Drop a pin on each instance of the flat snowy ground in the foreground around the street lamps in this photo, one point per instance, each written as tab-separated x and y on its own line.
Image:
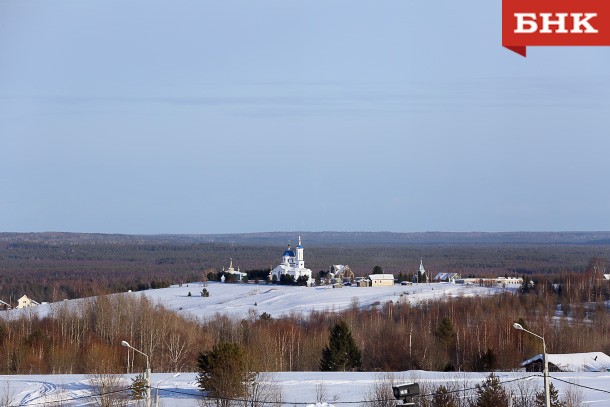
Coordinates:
298	388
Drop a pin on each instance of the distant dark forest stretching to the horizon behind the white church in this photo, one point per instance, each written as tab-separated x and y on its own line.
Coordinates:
55	266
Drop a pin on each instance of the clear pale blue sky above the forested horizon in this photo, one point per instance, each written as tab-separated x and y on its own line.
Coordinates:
146	117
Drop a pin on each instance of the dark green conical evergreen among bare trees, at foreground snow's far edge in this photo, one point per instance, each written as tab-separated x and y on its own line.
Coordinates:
341	354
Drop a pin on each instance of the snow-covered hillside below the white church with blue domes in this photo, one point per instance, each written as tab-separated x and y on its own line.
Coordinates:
238	300
